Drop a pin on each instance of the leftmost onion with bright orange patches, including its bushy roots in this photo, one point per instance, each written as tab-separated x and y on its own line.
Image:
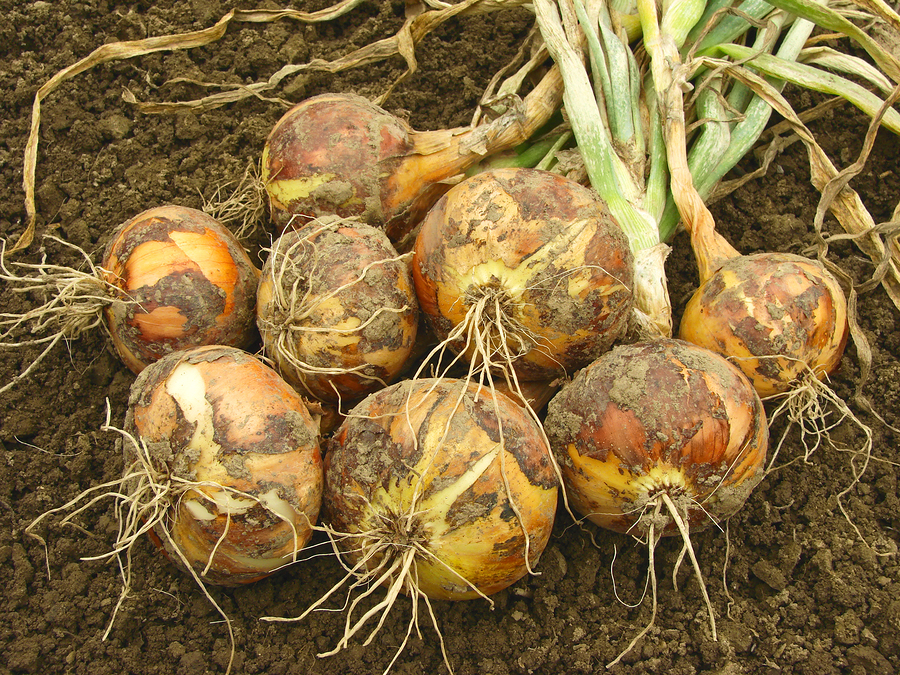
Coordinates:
171	278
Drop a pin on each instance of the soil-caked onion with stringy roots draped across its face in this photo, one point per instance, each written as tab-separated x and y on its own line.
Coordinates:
358	314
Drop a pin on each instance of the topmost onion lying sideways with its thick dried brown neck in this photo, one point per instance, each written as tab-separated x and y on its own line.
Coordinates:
341	154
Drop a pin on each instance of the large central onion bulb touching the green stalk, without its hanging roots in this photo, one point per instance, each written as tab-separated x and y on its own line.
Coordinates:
550	251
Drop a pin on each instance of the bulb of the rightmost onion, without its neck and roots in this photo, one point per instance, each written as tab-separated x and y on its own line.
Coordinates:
774	315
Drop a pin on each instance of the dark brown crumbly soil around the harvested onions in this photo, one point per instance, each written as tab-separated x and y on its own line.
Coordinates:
806	593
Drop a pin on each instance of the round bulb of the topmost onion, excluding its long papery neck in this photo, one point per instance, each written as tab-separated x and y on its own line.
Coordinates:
334	154
